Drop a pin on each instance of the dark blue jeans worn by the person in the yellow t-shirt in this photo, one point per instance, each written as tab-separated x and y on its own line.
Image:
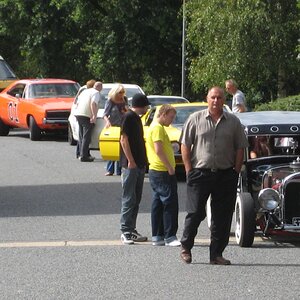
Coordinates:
164	211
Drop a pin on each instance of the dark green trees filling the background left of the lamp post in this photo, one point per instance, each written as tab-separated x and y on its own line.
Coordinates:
113	40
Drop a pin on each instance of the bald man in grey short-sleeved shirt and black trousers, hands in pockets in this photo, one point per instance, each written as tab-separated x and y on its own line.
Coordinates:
212	147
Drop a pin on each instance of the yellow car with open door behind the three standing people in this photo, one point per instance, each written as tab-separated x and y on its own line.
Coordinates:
109	139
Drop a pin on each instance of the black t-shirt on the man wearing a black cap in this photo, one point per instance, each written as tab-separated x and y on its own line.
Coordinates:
133	128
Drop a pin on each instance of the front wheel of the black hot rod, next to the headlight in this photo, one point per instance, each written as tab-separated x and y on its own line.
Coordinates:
244	220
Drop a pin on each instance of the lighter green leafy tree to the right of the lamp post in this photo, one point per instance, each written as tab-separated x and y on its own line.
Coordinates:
253	41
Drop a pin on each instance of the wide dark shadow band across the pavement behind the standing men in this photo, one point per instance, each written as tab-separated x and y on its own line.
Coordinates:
66	199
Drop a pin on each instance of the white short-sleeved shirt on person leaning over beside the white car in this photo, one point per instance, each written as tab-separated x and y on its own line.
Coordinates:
85	100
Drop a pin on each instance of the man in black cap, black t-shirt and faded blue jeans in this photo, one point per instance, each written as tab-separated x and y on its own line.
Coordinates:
133	161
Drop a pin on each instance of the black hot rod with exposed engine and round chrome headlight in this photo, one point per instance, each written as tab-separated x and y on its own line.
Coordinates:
268	198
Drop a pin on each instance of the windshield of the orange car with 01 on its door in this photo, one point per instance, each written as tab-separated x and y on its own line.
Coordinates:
53	90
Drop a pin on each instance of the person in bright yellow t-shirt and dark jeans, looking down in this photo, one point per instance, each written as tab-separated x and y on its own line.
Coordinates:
164	210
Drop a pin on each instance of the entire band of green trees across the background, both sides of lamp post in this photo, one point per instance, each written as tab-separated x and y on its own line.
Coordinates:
253	41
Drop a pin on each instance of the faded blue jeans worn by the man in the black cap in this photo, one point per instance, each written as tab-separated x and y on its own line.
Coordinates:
132	183
